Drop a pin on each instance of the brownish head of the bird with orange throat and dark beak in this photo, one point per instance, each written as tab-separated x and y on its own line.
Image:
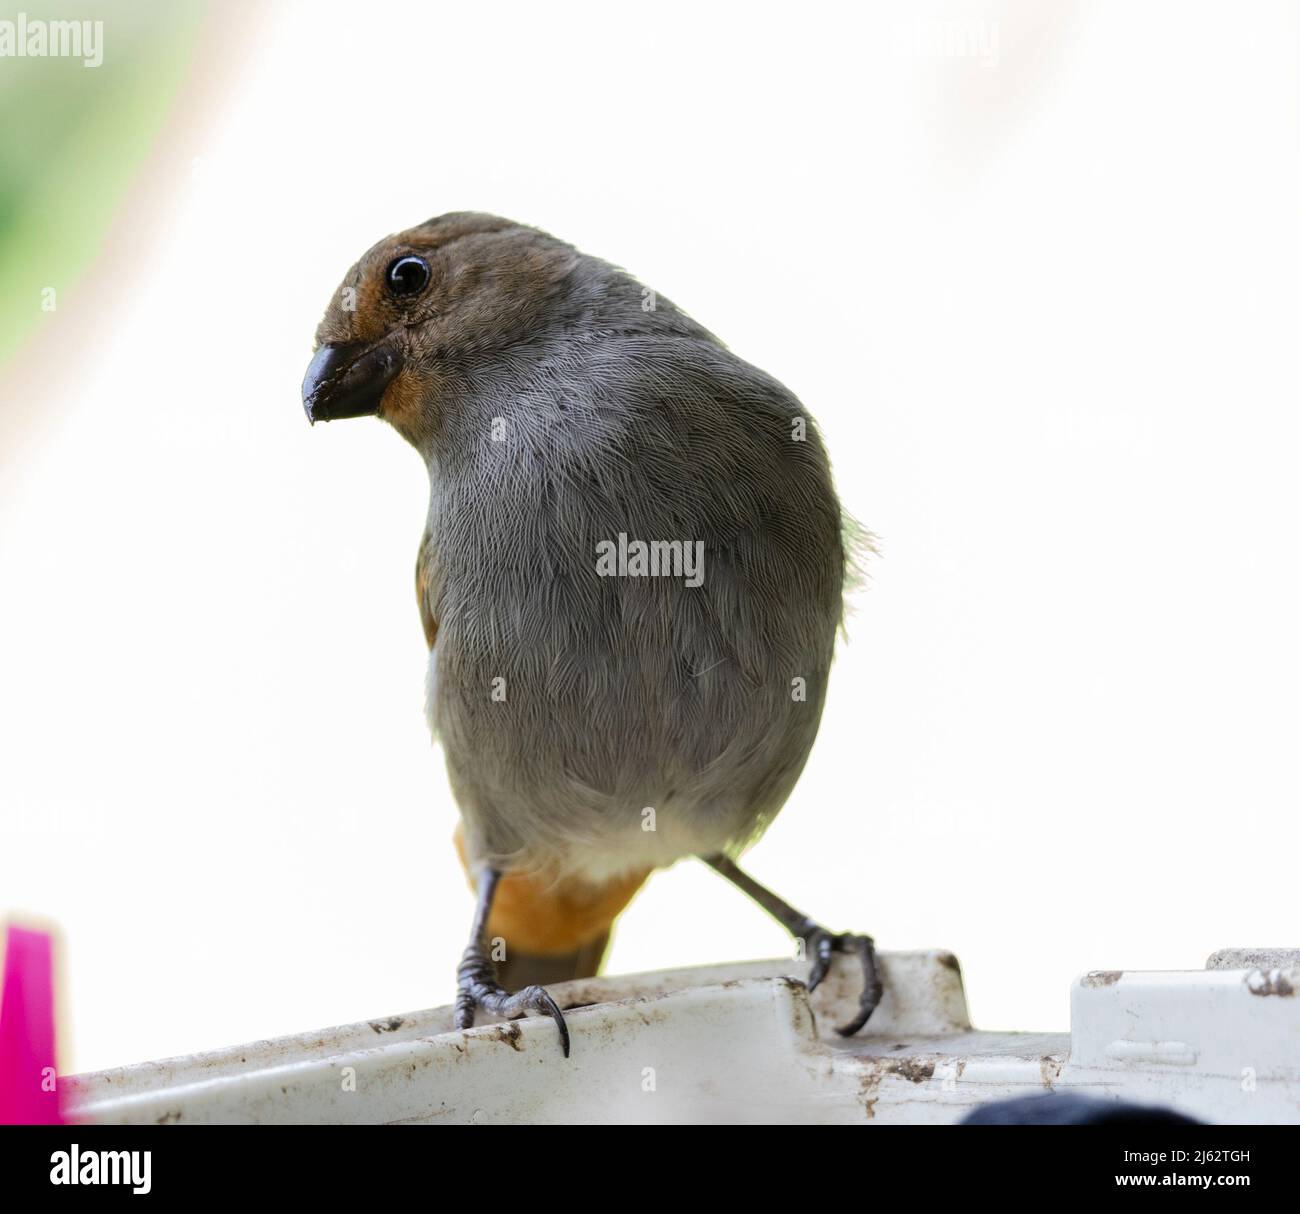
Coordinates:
426	307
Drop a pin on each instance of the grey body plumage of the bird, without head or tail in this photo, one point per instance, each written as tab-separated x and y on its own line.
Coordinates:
625	693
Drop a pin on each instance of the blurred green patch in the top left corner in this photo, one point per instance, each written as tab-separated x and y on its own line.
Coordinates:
72	140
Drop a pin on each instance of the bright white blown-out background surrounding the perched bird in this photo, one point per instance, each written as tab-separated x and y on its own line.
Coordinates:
1042	300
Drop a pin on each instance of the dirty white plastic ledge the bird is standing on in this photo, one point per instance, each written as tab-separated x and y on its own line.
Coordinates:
746	1043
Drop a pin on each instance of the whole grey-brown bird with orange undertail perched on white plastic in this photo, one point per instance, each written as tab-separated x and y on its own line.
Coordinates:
631	583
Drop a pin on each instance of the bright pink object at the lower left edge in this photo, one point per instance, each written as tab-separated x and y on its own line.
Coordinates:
28	1091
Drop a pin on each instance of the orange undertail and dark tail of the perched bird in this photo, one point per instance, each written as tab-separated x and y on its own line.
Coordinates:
553	931
